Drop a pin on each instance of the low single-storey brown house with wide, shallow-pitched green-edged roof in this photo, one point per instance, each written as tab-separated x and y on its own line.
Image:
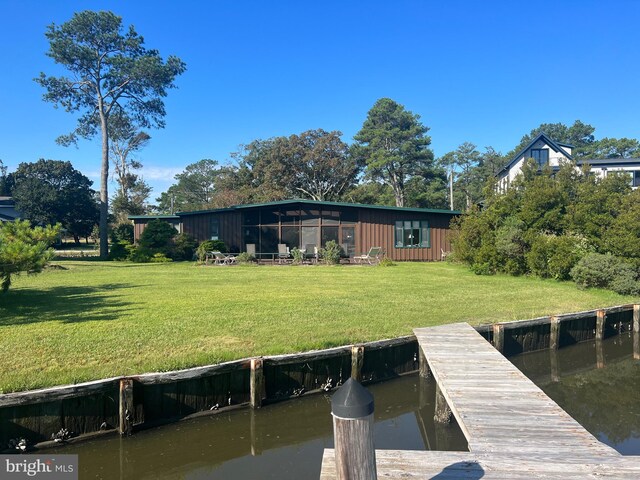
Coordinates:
404	233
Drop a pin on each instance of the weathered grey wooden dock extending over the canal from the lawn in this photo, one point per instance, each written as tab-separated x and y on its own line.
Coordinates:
512	428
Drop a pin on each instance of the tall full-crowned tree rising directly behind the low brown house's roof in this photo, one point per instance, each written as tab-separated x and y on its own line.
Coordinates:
393	146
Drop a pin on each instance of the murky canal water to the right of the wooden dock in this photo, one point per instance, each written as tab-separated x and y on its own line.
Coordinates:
597	383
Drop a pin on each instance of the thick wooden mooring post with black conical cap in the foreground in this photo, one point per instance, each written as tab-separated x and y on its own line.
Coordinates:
352	410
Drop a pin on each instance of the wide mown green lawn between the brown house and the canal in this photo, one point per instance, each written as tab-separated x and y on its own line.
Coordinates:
95	320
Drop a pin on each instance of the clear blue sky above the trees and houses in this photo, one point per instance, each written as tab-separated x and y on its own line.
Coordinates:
484	72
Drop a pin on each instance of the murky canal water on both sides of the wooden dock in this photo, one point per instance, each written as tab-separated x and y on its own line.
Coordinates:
598	383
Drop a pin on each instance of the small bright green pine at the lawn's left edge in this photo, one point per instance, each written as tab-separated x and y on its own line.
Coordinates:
24	249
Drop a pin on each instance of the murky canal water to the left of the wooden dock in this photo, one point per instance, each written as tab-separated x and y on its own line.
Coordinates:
281	441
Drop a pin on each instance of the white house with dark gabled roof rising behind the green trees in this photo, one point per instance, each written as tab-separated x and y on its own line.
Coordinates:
545	151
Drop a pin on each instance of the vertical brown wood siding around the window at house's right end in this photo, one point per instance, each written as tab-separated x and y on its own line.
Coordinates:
376	229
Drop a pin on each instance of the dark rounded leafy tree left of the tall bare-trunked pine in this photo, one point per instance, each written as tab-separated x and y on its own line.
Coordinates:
52	191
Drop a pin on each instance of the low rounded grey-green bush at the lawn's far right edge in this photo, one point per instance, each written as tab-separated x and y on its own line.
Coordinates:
605	271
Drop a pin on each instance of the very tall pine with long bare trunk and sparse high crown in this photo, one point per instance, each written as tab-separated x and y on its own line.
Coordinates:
111	73
